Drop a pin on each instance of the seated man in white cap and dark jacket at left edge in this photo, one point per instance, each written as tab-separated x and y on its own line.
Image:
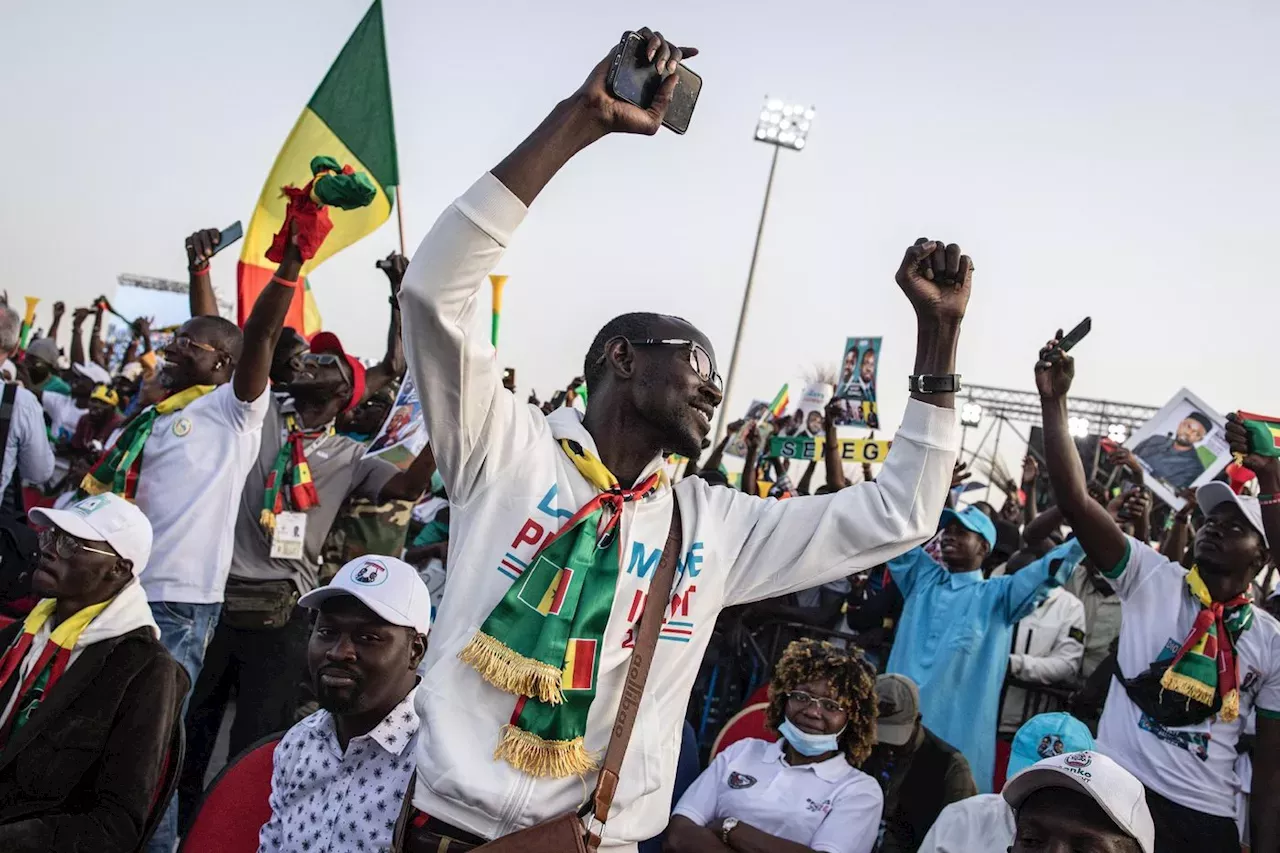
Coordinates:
89	696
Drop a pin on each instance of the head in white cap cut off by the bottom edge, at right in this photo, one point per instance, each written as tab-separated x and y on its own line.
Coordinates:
1081	801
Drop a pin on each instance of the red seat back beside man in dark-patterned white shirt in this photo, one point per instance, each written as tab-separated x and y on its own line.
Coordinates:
236	805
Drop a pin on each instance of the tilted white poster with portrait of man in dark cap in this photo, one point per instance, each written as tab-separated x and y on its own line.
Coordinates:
1183	446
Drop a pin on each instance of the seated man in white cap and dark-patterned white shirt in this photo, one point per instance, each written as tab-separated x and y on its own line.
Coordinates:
341	776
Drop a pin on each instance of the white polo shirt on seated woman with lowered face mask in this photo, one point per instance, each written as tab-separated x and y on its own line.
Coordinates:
829	806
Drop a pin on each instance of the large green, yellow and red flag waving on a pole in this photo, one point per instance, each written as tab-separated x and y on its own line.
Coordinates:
349	120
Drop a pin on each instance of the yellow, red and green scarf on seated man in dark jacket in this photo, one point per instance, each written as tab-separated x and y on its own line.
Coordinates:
49	667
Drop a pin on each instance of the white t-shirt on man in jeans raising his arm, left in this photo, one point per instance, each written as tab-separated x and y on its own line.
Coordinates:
190	486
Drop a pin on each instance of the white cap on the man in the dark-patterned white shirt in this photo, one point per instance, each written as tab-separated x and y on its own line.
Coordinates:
386	586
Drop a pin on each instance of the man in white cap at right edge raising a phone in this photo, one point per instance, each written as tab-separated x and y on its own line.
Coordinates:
1196	659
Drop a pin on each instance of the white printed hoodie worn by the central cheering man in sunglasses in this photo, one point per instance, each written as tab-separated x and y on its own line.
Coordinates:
511	486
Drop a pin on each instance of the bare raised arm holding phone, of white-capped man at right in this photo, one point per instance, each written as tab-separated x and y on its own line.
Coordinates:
1099	535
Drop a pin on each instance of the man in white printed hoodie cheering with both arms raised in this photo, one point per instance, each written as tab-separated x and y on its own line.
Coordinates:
516	477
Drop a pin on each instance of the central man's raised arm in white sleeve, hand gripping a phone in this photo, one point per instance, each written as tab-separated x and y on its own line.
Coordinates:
477	426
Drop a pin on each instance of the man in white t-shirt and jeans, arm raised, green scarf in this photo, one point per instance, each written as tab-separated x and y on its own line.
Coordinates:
184	462
